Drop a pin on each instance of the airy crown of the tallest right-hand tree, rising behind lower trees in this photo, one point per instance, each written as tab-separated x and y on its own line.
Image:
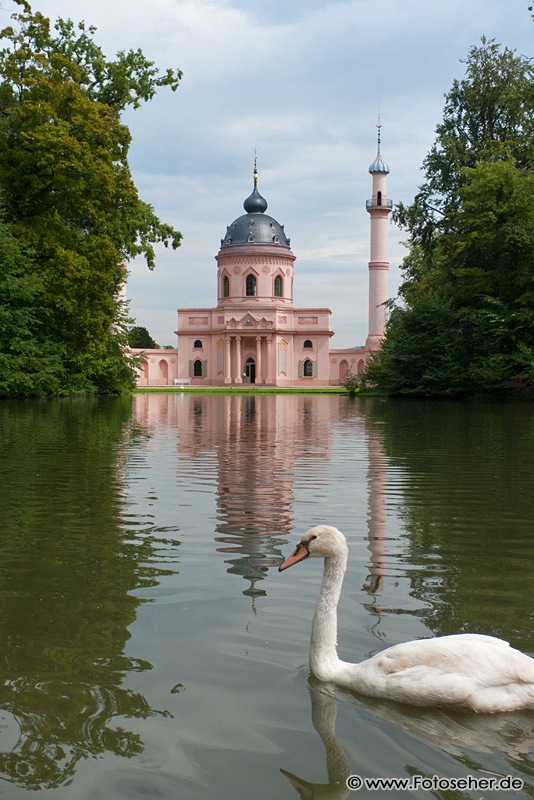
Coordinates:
487	116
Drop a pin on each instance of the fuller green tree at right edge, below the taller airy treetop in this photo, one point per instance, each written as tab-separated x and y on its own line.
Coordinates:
488	262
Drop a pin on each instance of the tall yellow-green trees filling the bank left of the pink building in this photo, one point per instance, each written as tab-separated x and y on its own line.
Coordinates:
72	216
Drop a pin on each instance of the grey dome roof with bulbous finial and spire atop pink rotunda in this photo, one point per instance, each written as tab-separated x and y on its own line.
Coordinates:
255	227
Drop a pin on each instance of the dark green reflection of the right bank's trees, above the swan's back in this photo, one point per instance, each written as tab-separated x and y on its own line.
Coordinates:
461	467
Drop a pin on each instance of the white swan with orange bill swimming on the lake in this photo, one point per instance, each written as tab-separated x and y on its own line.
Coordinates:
467	670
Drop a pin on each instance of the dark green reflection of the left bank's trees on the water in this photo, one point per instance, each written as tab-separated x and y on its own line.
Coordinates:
65	588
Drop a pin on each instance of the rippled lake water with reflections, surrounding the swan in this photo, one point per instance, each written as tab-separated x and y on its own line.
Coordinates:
151	649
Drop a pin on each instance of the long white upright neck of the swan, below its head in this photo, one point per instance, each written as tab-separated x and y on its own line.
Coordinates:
324	661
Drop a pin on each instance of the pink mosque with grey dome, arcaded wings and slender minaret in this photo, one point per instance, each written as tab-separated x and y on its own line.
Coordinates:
255	335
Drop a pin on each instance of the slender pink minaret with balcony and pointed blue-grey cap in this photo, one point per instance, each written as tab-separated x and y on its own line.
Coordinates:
379	207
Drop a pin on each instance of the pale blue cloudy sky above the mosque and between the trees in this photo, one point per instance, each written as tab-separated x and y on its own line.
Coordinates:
302	83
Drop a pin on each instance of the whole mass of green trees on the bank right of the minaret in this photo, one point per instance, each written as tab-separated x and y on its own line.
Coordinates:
464	321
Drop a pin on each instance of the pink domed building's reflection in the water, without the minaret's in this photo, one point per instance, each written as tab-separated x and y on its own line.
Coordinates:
251	448
